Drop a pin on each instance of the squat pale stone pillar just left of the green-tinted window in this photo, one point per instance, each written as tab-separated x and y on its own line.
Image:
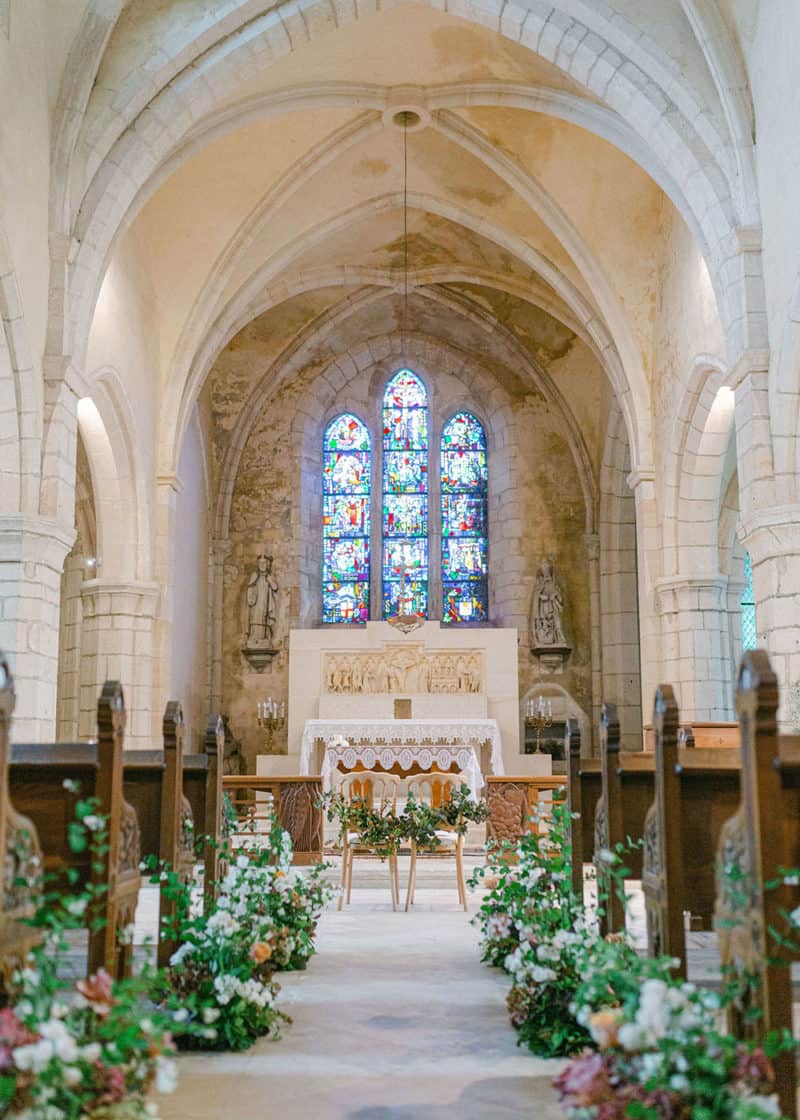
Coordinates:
694	612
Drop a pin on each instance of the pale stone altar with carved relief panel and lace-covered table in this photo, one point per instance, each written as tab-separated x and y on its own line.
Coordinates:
435	689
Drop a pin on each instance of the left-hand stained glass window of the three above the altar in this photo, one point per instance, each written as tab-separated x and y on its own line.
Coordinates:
347	521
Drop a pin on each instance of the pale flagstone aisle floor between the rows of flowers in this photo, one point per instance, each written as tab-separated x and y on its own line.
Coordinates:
395	1020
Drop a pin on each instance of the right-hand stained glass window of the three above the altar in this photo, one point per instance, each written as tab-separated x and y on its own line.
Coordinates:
464	538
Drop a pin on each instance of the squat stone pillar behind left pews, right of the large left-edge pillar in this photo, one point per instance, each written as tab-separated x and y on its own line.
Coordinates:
120	643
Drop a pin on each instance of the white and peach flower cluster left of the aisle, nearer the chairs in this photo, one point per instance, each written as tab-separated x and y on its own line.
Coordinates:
219	986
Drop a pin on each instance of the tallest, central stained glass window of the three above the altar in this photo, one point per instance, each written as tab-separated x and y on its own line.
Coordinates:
405	497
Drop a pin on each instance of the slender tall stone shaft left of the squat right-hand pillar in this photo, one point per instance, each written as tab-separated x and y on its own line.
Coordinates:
649	570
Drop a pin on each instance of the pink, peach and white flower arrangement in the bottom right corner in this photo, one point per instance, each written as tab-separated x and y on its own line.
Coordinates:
662	1057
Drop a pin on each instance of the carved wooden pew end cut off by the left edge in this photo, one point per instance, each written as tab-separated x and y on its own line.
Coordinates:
20	846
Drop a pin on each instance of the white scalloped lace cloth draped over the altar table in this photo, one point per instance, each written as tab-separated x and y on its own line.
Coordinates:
404	743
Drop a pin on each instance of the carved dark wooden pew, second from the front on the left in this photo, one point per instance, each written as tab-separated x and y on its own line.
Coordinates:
36	779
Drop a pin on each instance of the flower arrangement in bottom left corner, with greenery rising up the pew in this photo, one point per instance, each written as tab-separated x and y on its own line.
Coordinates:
89	1051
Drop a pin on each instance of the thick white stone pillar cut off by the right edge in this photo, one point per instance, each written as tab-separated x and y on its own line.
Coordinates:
773	539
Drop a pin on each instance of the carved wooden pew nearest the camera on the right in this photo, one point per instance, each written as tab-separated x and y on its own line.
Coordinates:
761	837
